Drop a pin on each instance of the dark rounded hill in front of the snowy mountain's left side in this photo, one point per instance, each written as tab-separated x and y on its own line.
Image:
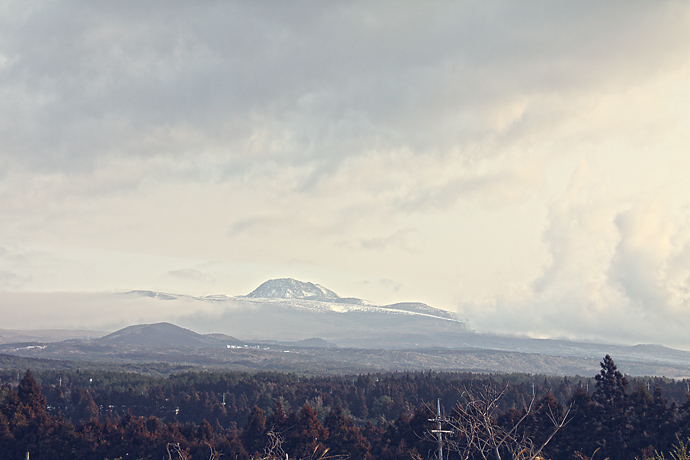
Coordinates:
161	335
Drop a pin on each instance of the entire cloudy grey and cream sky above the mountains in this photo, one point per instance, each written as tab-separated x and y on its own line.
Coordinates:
523	164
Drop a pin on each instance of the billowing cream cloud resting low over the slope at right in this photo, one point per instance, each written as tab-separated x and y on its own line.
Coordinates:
616	273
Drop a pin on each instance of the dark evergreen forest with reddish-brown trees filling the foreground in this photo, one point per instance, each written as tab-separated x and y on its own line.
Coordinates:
204	415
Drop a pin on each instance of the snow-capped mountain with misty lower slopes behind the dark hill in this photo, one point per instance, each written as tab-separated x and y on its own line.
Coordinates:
288	309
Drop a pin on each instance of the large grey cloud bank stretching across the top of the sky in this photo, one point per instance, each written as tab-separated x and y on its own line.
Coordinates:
251	84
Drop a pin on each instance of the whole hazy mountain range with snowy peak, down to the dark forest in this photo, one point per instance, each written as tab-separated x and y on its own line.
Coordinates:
320	330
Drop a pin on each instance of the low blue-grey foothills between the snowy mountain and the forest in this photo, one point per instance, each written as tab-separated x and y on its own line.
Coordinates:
152	345
